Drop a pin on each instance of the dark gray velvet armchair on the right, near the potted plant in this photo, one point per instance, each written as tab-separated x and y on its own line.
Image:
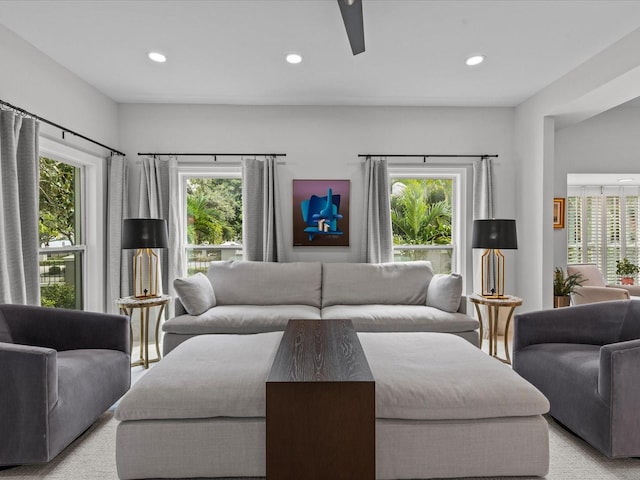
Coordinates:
586	361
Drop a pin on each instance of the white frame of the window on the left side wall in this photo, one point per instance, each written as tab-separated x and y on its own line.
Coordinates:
92	217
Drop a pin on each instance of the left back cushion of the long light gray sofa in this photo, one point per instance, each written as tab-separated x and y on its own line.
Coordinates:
266	283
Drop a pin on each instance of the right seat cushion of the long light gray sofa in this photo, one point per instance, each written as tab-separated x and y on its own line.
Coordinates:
401	318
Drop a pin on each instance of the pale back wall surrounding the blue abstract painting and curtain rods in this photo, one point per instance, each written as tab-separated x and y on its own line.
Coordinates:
323	143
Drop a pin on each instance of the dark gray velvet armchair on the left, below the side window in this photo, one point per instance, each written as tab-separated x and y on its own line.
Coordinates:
59	371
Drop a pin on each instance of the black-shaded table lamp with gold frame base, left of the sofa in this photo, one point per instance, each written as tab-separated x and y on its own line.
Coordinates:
145	234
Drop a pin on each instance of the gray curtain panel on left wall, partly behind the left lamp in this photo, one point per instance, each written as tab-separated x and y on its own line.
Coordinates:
118	263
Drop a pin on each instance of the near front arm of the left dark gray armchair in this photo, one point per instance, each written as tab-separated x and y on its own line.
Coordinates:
28	392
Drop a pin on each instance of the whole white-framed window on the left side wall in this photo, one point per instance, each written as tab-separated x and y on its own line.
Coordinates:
76	183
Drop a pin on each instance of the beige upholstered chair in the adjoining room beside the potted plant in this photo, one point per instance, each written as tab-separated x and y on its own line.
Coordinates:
595	289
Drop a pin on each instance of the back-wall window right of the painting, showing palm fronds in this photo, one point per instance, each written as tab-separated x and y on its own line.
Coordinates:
426	211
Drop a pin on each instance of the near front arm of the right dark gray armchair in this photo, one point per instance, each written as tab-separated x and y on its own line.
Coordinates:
619	388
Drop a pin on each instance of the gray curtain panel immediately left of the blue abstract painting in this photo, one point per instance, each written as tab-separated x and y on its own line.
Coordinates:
261	211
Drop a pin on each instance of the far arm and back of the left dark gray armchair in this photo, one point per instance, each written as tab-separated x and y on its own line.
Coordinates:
63	329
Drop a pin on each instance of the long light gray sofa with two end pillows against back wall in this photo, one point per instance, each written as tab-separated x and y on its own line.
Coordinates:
255	297
